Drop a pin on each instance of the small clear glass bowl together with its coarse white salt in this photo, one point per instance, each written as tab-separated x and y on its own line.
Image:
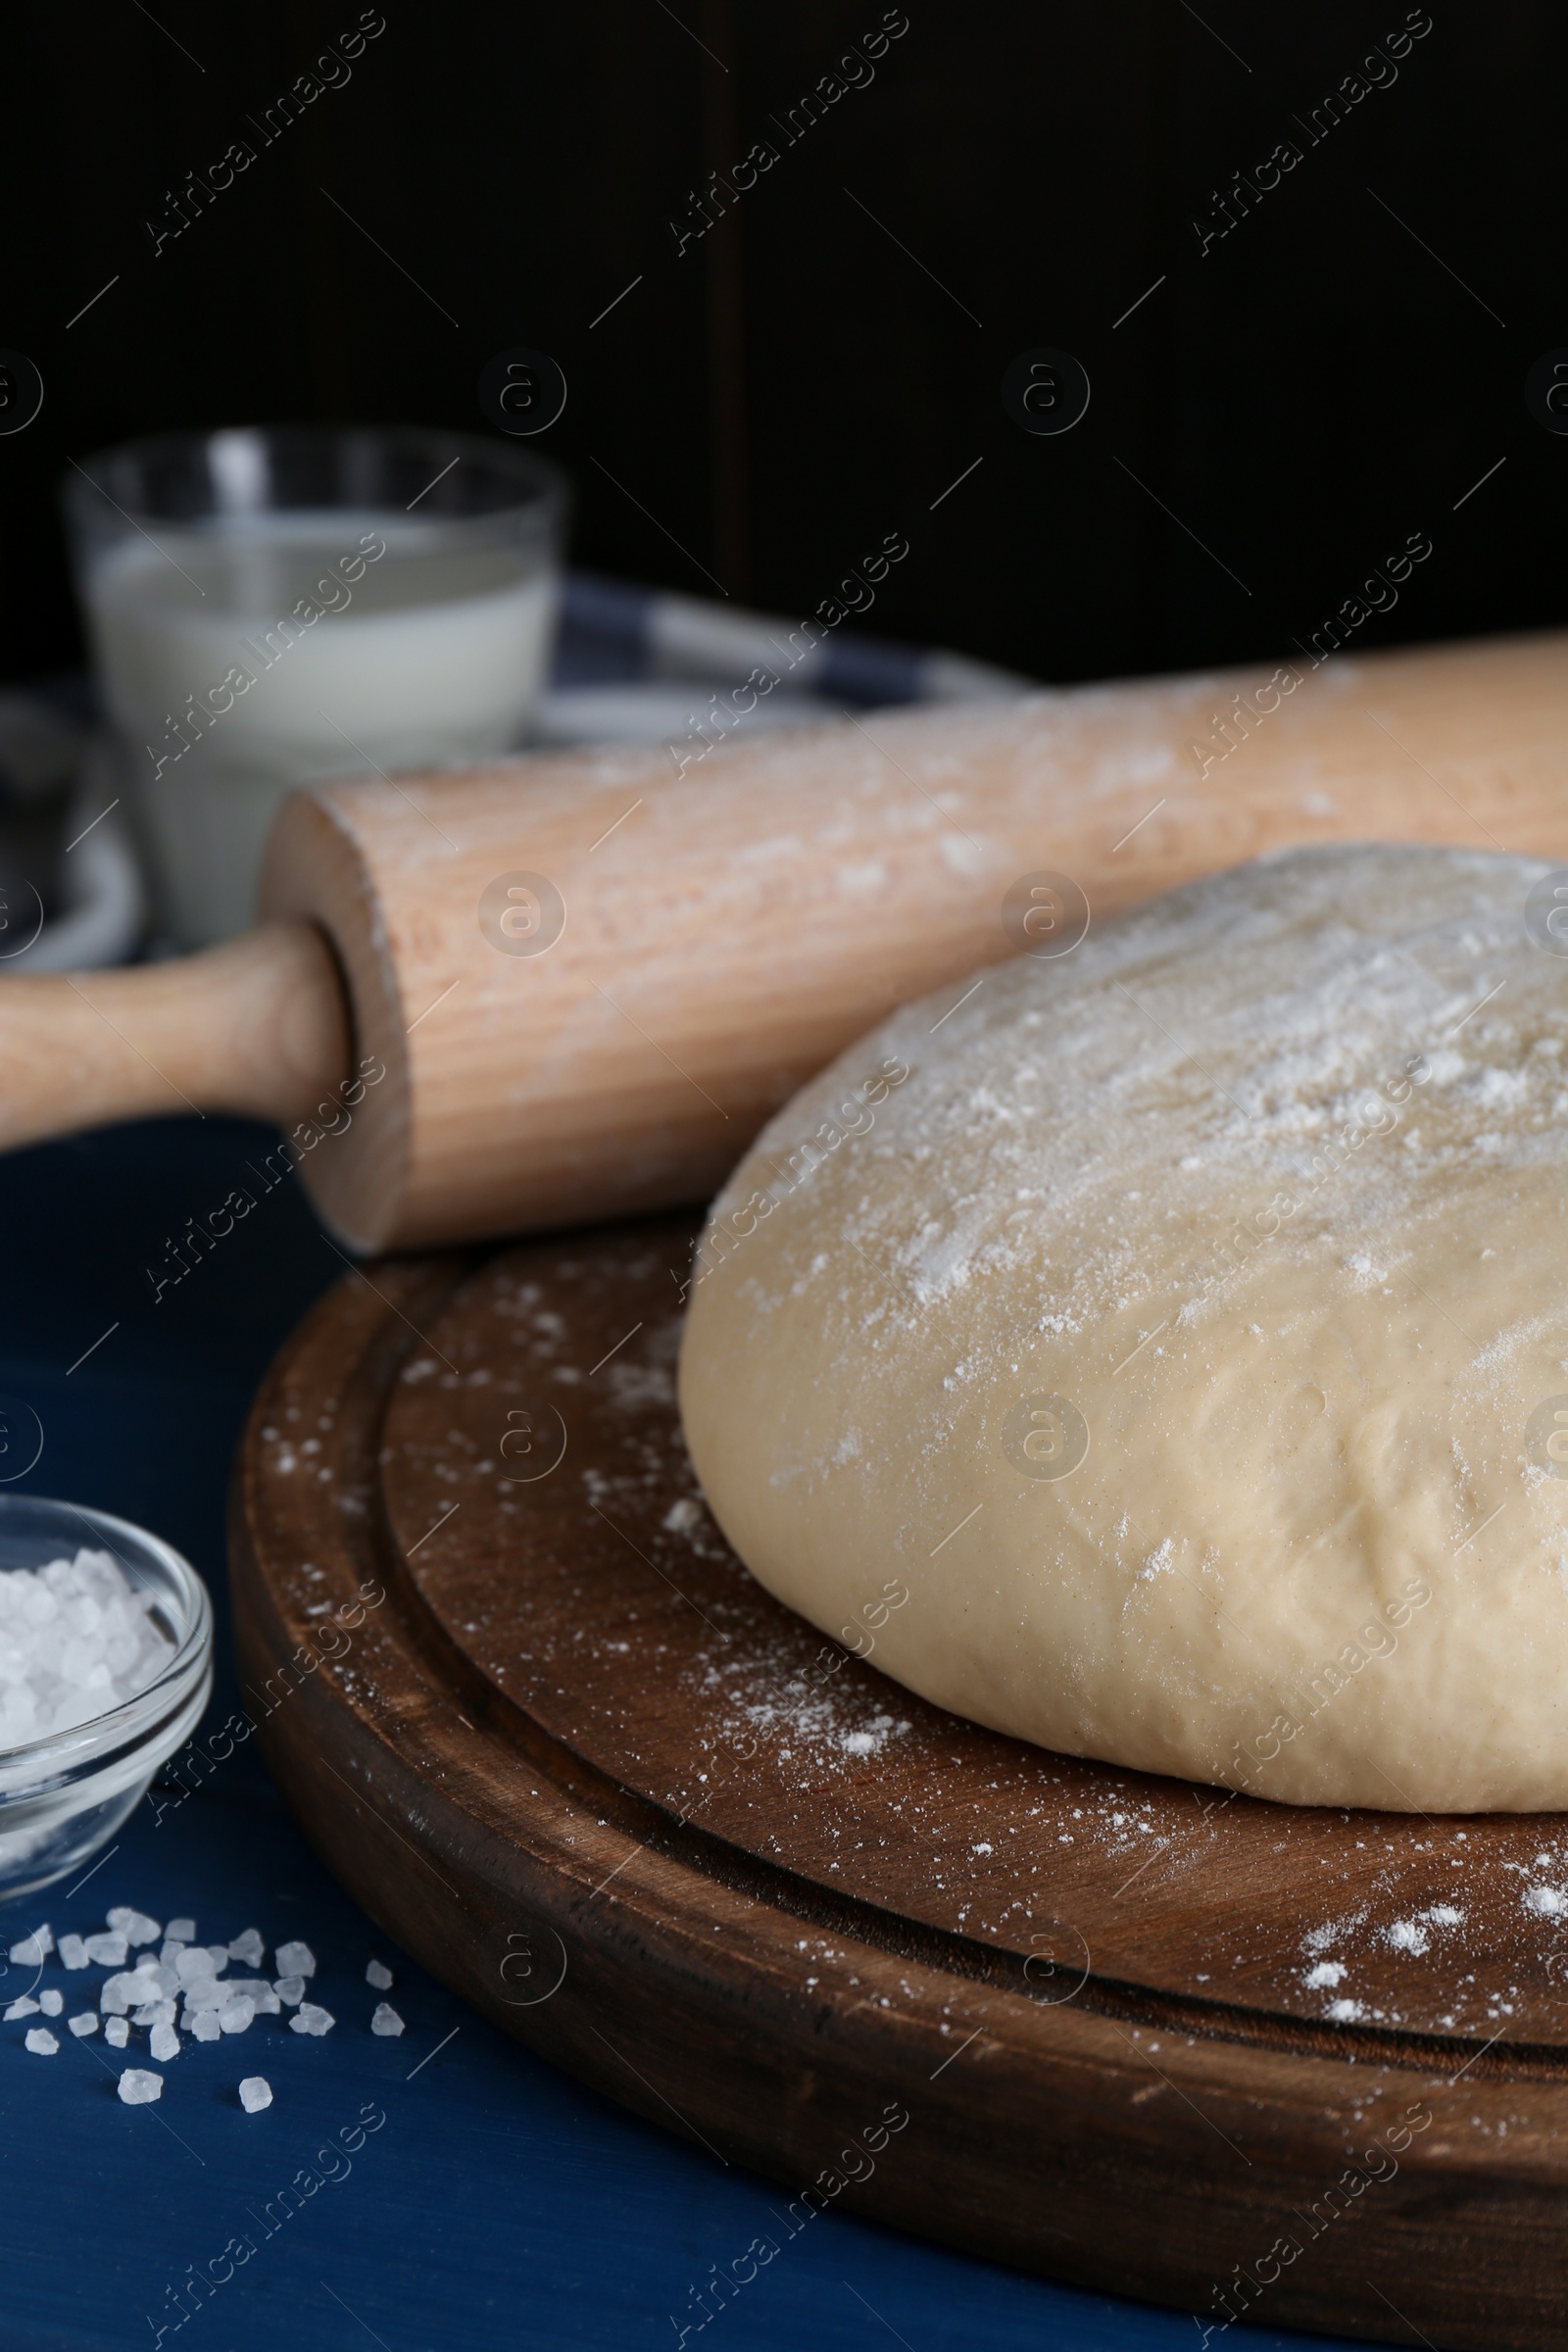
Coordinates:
105	1673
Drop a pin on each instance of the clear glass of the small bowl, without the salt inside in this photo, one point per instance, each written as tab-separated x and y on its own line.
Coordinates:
67	1793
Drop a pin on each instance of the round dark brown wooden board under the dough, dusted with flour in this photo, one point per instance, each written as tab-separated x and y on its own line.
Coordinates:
1304	2069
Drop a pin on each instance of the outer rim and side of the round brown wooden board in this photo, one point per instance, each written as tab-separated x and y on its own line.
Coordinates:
1038	2132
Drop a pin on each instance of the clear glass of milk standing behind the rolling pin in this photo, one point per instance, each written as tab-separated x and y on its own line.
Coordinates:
283	603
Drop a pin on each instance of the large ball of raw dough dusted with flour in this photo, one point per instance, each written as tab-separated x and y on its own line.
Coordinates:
1181	1325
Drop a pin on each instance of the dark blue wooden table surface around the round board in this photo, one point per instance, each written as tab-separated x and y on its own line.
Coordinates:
448	2189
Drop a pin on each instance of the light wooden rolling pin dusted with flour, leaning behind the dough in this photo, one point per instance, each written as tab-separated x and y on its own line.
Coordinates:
575	987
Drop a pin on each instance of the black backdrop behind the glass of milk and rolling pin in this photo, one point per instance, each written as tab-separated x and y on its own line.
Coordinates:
793	387
